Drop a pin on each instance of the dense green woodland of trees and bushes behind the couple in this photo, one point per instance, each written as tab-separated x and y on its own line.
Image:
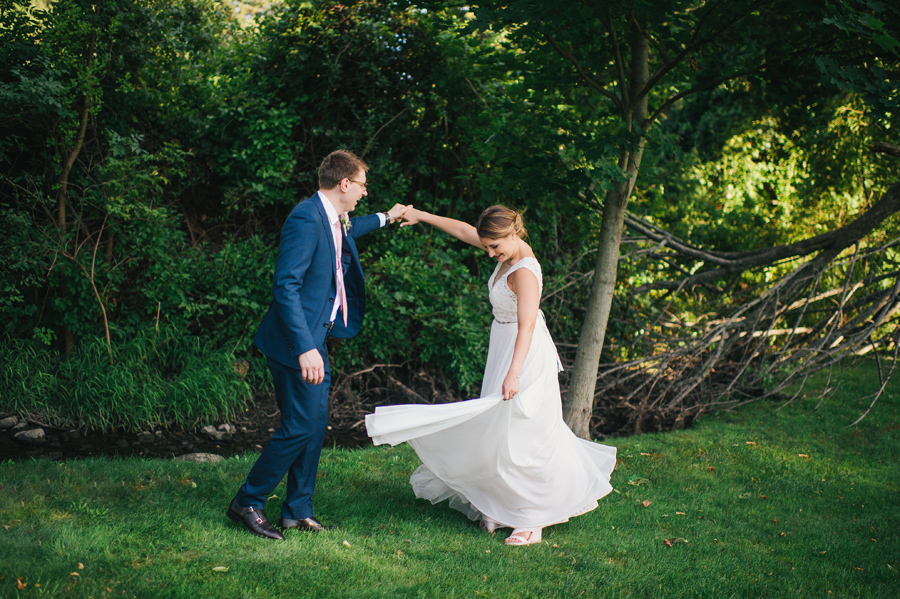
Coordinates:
149	152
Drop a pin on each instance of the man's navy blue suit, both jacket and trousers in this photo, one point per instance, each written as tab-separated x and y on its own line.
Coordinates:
304	291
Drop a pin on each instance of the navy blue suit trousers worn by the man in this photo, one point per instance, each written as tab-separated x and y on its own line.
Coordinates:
295	447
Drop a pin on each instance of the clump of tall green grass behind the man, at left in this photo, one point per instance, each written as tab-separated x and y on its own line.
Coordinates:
157	378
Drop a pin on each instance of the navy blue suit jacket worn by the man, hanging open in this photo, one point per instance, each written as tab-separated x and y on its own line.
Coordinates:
305	284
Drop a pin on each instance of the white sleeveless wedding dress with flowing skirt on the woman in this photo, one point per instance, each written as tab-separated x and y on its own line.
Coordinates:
510	463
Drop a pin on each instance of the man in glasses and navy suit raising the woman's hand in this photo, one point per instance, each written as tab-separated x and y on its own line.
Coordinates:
318	292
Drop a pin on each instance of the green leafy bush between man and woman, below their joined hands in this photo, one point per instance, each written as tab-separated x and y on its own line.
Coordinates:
424	307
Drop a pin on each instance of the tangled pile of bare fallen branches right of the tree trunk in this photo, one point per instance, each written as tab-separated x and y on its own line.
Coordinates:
837	297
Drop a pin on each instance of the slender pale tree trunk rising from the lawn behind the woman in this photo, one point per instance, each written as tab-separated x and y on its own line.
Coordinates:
579	405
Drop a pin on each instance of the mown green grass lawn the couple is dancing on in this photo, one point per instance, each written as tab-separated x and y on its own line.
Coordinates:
752	503
